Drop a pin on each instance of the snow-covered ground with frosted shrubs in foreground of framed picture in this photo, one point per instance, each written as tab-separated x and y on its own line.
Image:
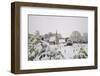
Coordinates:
44	51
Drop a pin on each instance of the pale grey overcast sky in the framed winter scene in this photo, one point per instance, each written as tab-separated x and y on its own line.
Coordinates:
63	24
